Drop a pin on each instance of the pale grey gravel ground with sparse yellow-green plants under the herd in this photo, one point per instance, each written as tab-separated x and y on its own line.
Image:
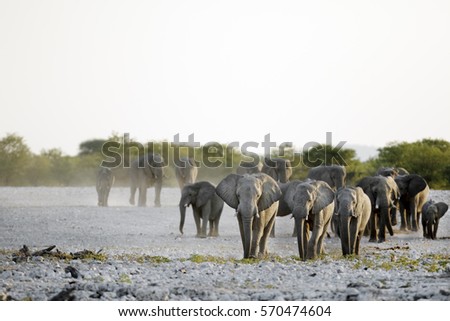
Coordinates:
144	257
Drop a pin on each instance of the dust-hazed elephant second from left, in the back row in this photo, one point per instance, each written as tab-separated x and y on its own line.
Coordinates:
146	171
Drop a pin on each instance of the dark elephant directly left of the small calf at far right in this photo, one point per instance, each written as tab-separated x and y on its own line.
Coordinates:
414	192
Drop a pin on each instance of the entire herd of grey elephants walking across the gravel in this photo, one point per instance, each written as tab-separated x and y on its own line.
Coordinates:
261	192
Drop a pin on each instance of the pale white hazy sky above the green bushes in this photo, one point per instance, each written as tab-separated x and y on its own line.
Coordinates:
369	72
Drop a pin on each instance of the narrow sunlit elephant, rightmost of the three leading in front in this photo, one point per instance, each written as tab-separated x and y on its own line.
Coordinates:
353	210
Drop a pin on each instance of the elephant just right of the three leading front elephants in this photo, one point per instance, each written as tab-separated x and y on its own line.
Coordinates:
383	194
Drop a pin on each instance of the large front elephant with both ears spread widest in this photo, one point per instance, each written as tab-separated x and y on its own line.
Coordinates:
255	198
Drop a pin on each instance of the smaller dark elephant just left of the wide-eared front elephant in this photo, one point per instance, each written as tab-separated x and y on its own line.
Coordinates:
207	207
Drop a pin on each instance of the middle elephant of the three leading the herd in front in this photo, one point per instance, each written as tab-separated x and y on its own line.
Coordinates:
312	206
